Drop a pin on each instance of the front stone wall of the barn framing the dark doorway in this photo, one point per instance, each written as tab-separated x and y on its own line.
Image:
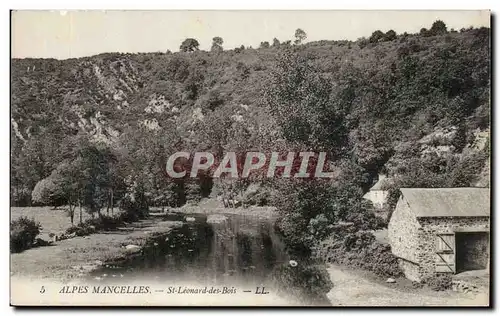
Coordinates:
427	236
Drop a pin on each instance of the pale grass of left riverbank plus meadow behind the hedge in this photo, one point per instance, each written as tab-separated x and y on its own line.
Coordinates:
62	259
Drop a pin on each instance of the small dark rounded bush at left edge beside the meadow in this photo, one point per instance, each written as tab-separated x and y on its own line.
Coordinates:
23	232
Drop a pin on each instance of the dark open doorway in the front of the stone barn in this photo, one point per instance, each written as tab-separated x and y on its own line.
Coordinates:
472	251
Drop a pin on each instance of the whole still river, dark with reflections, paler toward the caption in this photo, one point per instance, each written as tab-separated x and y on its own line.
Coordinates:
242	252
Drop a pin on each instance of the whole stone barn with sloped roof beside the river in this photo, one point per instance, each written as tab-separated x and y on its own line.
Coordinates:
443	230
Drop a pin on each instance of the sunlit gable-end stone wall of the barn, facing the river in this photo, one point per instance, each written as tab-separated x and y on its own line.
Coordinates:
403	231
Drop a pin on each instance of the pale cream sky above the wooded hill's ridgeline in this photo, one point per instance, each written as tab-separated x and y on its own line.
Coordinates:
72	34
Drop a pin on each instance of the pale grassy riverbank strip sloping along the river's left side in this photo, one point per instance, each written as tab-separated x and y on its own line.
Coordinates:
75	257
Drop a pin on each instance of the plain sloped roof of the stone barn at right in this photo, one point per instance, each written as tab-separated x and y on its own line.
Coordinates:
448	202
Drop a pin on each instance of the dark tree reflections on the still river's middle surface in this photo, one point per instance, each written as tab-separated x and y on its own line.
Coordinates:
236	248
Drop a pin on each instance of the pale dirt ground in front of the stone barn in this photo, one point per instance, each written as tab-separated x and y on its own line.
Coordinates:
355	288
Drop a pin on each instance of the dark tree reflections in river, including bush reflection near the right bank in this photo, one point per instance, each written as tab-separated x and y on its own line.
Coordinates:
237	249
